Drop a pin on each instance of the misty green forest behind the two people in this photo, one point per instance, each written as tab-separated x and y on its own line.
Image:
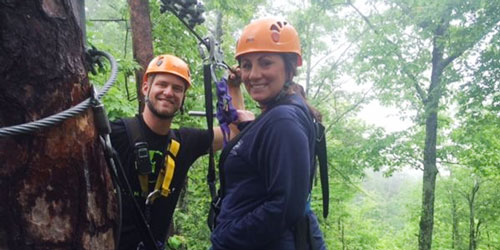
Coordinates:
436	64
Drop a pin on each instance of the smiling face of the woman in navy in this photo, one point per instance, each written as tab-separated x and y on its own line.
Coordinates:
263	75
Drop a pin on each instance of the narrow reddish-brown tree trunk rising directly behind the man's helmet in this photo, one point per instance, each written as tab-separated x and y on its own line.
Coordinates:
142	41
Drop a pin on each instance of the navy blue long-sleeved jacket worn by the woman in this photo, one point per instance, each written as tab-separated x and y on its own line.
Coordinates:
267	181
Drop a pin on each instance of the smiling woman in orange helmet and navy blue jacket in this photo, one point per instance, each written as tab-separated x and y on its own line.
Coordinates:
266	171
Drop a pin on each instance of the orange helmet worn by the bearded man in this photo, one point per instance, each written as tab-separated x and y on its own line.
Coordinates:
169	64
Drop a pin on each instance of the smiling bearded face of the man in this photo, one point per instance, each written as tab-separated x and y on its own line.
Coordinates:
165	94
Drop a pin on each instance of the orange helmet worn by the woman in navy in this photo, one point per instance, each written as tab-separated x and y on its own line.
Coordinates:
269	35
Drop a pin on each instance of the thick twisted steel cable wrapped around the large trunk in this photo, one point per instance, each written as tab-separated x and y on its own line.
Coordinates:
28	128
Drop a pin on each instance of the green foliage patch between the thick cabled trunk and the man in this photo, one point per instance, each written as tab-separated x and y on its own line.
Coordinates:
107	30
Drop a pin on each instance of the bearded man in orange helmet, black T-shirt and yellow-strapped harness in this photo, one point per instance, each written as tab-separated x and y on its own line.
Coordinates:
147	139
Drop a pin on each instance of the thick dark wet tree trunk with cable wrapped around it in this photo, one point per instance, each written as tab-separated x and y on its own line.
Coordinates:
55	188
